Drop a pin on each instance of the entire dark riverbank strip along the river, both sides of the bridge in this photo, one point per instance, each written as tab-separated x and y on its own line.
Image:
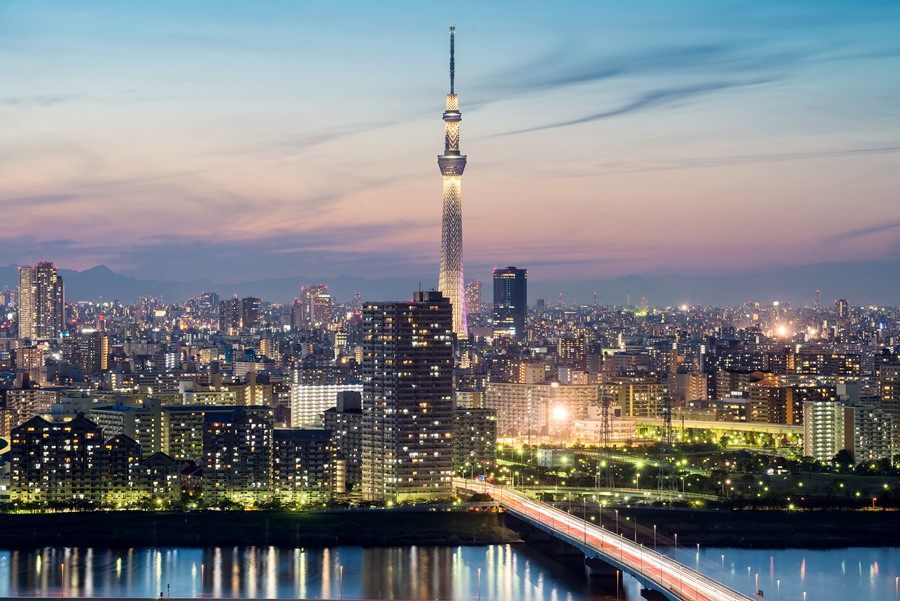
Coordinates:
382	528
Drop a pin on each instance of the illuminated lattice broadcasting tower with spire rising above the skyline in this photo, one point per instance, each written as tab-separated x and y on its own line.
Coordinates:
452	165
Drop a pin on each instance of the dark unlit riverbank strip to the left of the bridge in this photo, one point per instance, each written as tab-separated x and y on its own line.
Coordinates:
226	528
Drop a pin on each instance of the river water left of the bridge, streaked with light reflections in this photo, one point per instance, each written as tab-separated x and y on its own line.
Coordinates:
504	572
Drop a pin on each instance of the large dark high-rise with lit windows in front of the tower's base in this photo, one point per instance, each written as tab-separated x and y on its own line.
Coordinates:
407	399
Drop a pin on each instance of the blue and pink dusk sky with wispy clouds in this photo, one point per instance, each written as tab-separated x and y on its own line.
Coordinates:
242	140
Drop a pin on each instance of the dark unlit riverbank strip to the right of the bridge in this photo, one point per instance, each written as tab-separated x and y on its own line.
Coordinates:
765	529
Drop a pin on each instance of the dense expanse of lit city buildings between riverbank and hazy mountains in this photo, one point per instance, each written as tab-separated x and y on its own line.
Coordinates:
242	402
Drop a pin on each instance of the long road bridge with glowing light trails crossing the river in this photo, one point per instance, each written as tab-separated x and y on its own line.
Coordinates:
661	576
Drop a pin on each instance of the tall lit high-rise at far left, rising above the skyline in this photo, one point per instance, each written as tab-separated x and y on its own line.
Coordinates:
42	308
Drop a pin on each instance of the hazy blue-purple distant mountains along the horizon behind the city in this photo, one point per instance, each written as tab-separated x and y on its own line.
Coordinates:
861	282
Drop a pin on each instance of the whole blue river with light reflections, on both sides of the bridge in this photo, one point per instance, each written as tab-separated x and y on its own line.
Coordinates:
495	572
